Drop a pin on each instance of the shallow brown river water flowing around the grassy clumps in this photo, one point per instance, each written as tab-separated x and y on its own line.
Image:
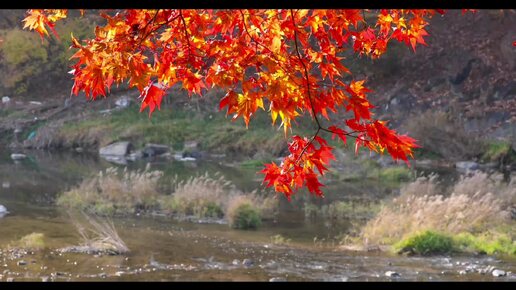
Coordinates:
163	249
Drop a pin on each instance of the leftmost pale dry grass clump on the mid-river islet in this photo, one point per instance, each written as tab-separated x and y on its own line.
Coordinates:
115	191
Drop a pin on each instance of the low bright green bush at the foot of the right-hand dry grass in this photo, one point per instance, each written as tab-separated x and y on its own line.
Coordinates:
426	243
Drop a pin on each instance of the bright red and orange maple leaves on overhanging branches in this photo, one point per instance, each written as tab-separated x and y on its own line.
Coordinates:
286	62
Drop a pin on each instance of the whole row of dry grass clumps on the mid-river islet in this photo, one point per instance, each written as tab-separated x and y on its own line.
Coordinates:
121	192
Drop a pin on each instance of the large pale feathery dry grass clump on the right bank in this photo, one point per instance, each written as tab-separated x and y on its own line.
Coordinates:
477	204
